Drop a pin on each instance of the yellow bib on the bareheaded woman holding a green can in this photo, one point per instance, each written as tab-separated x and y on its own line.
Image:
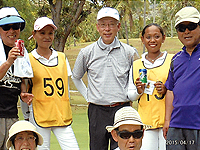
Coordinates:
152	107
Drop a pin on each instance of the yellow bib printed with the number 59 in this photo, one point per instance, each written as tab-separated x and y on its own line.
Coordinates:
51	106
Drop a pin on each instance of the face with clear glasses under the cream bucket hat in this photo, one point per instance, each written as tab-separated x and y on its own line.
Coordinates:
24	141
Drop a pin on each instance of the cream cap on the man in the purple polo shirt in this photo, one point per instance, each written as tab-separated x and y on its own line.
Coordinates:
188	13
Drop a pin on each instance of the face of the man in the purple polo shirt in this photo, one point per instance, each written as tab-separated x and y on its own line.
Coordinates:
190	39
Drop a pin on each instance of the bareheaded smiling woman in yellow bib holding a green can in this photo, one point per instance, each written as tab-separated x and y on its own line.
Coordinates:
151	95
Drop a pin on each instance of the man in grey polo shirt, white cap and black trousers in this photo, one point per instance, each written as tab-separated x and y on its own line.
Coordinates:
107	63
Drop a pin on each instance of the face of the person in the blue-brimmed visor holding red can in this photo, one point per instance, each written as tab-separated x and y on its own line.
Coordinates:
9	37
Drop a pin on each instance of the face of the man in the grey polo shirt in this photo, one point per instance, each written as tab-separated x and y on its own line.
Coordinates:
108	28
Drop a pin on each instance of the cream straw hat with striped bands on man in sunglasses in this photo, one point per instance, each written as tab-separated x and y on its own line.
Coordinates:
125	115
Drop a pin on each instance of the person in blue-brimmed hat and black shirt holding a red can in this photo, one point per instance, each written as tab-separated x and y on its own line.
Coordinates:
12	70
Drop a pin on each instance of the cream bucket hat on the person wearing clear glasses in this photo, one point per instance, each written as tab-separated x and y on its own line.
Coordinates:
21	126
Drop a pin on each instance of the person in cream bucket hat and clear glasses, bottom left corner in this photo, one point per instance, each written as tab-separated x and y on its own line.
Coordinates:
23	135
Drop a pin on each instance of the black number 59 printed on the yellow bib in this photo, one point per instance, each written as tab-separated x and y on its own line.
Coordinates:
59	85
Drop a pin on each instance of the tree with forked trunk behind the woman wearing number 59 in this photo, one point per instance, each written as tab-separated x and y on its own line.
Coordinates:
67	15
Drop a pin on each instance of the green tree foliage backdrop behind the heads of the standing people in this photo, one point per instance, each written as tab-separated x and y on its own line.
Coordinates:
76	19
